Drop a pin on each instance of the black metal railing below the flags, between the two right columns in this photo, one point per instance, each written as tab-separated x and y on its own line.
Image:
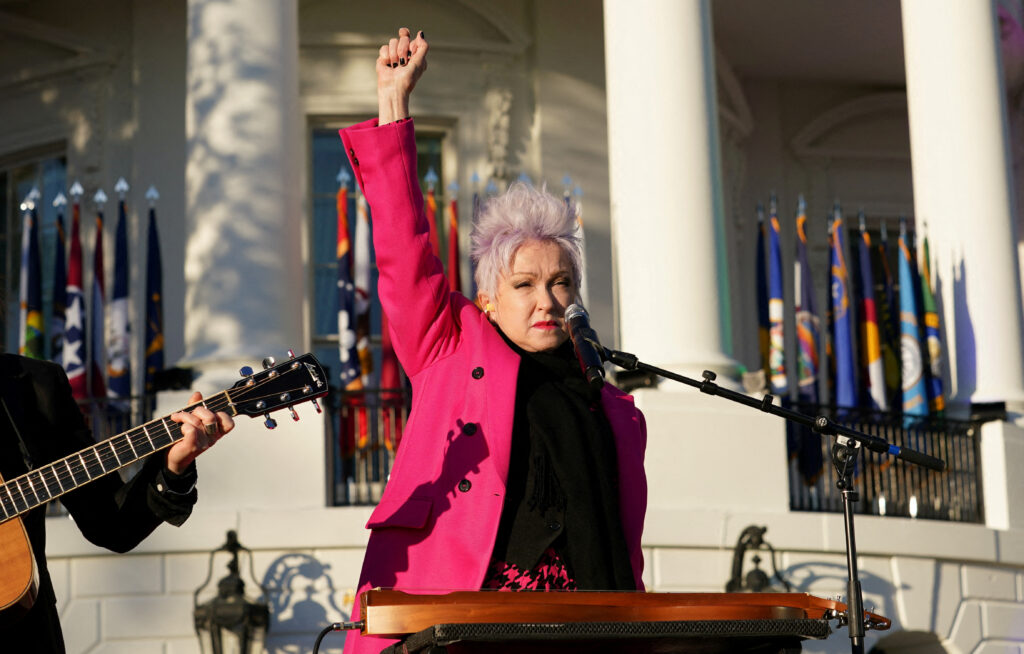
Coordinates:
887	487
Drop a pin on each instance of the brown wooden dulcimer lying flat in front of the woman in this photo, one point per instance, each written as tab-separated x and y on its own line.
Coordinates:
498	623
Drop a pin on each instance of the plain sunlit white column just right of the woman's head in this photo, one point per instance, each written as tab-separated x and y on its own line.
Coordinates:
666	185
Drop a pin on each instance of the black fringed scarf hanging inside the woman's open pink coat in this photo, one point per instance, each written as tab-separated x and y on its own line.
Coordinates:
564	476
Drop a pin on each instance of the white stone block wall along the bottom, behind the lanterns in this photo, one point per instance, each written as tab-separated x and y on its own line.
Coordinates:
144	603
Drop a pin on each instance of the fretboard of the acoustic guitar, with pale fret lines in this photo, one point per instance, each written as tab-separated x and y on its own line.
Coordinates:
44	485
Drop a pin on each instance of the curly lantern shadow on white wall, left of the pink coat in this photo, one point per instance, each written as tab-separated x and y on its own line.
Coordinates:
301	592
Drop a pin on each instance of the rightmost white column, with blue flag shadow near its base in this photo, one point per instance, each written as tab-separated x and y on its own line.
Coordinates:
963	192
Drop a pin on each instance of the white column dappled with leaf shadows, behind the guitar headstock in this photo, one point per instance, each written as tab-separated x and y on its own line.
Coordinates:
243	256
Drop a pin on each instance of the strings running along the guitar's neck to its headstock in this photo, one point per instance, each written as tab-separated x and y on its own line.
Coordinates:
168	428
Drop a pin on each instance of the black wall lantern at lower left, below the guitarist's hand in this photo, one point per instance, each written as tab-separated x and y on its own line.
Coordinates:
231	623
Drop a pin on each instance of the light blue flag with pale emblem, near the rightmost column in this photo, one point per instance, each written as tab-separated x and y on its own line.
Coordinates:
913	371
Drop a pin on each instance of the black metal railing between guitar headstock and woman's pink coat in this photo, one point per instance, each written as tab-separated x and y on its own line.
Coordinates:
364	431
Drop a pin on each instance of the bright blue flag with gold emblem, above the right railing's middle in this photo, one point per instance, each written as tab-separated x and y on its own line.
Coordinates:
846	387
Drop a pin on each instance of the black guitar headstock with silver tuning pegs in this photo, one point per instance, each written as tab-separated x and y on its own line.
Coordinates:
283	385
